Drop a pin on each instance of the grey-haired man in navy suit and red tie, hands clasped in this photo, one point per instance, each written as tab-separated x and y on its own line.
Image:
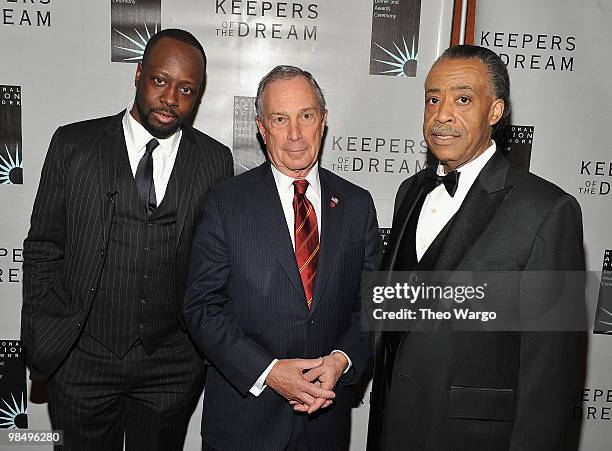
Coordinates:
273	297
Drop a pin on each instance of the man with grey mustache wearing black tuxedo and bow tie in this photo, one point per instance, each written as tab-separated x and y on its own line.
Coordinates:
478	390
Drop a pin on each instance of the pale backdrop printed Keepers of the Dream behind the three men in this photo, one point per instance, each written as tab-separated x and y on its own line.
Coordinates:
64	61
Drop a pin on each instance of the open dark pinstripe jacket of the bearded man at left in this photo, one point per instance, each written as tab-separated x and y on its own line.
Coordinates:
65	249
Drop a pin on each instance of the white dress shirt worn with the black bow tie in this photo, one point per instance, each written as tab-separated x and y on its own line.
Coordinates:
439	207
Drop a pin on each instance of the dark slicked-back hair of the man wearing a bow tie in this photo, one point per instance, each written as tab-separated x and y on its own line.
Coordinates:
498	75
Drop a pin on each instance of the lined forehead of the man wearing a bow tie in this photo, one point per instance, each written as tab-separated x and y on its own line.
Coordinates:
457	73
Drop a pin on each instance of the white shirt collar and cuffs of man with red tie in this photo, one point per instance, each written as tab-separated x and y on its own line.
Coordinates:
284	185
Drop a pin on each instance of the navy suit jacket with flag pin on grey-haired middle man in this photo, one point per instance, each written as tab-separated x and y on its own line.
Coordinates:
245	306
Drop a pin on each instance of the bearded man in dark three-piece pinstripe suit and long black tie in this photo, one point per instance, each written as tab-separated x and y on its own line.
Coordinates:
107	256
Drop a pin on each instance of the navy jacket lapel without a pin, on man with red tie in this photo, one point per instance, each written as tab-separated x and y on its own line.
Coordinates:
266	206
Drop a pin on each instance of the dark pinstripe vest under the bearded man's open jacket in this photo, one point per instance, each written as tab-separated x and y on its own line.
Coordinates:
135	300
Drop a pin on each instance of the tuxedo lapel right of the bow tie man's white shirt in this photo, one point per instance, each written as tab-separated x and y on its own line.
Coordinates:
482	201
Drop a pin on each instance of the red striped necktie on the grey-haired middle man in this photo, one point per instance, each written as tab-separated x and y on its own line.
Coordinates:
306	238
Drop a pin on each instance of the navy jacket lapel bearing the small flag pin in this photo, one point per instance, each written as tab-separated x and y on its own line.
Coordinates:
332	214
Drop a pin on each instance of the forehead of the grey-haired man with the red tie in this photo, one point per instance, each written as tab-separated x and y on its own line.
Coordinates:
287	95
